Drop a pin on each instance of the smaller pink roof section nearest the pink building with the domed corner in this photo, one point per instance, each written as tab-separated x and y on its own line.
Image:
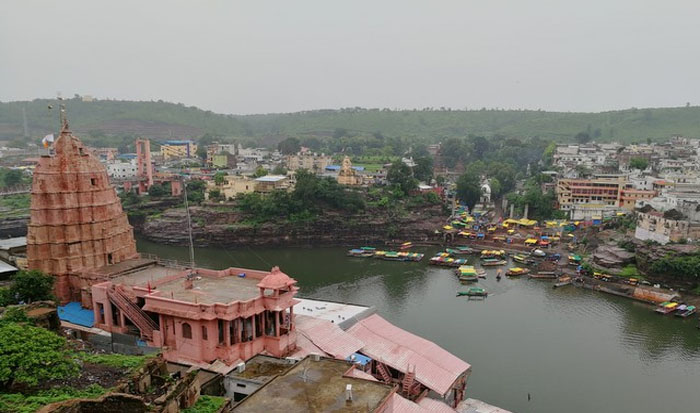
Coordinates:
327	336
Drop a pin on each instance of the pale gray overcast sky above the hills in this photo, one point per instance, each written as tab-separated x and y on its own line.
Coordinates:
263	56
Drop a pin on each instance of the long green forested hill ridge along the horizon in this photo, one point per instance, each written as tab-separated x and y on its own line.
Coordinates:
162	120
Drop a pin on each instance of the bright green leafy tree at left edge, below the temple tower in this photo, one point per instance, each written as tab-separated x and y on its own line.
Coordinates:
31	355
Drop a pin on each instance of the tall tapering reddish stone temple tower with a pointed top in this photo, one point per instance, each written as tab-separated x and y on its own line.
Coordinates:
76	221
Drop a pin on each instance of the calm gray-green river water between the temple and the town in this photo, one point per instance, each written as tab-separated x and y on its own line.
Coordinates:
572	350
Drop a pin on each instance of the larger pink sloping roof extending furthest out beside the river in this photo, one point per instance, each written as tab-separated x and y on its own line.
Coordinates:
435	367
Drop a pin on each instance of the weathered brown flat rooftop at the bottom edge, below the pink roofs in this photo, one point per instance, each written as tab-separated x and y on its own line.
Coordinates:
316	386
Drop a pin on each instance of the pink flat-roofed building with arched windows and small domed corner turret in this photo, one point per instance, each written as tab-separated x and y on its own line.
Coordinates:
202	315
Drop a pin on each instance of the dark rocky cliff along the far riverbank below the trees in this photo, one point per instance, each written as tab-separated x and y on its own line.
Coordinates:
212	227
